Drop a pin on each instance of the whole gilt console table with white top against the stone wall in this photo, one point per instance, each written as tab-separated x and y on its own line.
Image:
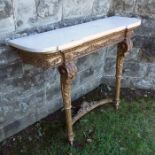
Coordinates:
60	47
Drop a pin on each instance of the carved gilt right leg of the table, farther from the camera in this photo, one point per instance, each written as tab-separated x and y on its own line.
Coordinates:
123	49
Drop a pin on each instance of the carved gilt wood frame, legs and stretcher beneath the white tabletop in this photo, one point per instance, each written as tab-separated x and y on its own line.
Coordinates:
67	69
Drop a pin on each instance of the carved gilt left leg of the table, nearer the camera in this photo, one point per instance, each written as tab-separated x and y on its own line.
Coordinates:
67	74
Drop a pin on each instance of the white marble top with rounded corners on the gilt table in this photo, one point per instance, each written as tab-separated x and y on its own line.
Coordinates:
64	38
